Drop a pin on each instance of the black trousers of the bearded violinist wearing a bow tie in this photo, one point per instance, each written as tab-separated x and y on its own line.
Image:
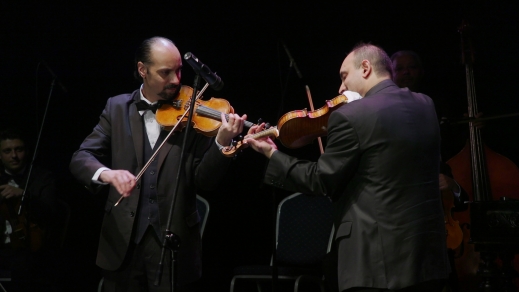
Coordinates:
140	268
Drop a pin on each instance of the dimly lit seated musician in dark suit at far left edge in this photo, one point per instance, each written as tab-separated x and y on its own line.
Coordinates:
24	239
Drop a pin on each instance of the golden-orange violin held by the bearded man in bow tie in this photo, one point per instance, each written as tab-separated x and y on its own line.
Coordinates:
207	113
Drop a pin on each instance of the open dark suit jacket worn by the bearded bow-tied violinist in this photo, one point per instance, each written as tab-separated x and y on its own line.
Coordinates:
117	142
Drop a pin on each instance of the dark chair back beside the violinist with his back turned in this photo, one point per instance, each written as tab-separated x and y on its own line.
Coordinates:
303	230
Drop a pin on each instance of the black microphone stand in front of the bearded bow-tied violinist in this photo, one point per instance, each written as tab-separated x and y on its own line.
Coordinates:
171	240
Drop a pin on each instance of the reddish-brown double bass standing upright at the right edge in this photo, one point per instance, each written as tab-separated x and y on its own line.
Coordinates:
484	174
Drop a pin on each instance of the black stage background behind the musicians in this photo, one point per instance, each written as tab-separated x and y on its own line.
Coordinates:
90	46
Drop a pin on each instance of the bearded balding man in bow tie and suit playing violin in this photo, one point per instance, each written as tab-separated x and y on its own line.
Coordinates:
121	143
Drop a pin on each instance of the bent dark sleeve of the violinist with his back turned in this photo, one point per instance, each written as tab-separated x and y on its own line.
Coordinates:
330	174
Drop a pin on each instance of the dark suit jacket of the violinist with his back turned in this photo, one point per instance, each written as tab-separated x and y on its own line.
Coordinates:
381	168
